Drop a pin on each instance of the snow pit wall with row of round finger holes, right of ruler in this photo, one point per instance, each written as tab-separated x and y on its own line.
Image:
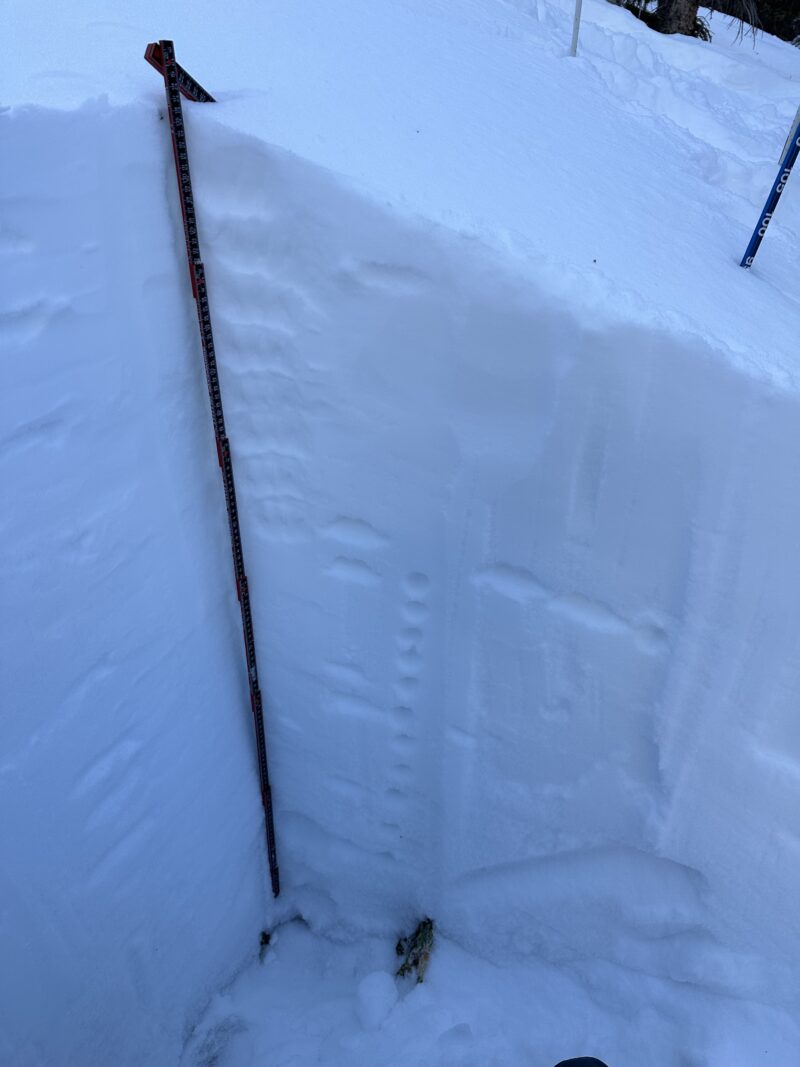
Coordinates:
524	593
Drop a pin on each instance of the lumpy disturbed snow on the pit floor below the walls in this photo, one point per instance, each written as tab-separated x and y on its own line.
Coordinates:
314	1001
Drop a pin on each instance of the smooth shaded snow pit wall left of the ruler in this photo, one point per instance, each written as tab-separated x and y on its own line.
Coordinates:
133	880
